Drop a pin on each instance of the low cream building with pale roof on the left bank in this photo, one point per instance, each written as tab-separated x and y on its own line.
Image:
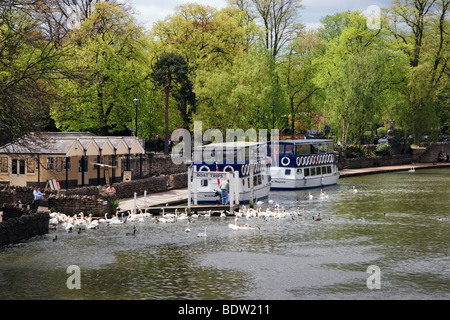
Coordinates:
69	158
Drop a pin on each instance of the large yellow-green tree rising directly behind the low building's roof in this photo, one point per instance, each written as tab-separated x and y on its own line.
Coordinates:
108	69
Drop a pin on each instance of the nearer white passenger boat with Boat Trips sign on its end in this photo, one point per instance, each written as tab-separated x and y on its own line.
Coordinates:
246	165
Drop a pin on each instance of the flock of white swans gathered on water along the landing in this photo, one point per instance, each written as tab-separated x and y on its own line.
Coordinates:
80	222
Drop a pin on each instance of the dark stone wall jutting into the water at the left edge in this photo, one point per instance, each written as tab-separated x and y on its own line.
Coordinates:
21	224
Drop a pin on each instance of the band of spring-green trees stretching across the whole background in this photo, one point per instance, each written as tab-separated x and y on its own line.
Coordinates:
80	63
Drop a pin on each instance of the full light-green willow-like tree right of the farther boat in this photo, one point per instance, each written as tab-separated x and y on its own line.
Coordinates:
358	75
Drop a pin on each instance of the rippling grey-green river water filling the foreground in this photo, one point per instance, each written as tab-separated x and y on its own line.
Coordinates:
397	223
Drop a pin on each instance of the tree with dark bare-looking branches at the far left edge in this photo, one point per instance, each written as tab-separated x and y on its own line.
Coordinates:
30	63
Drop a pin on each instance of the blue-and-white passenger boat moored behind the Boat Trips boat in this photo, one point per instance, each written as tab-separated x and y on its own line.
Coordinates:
302	164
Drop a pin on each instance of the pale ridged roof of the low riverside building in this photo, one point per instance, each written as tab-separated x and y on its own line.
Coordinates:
73	144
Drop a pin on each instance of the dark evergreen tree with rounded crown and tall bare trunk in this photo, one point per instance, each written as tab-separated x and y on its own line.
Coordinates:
171	69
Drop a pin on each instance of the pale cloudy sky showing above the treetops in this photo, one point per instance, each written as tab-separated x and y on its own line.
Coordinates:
150	11
